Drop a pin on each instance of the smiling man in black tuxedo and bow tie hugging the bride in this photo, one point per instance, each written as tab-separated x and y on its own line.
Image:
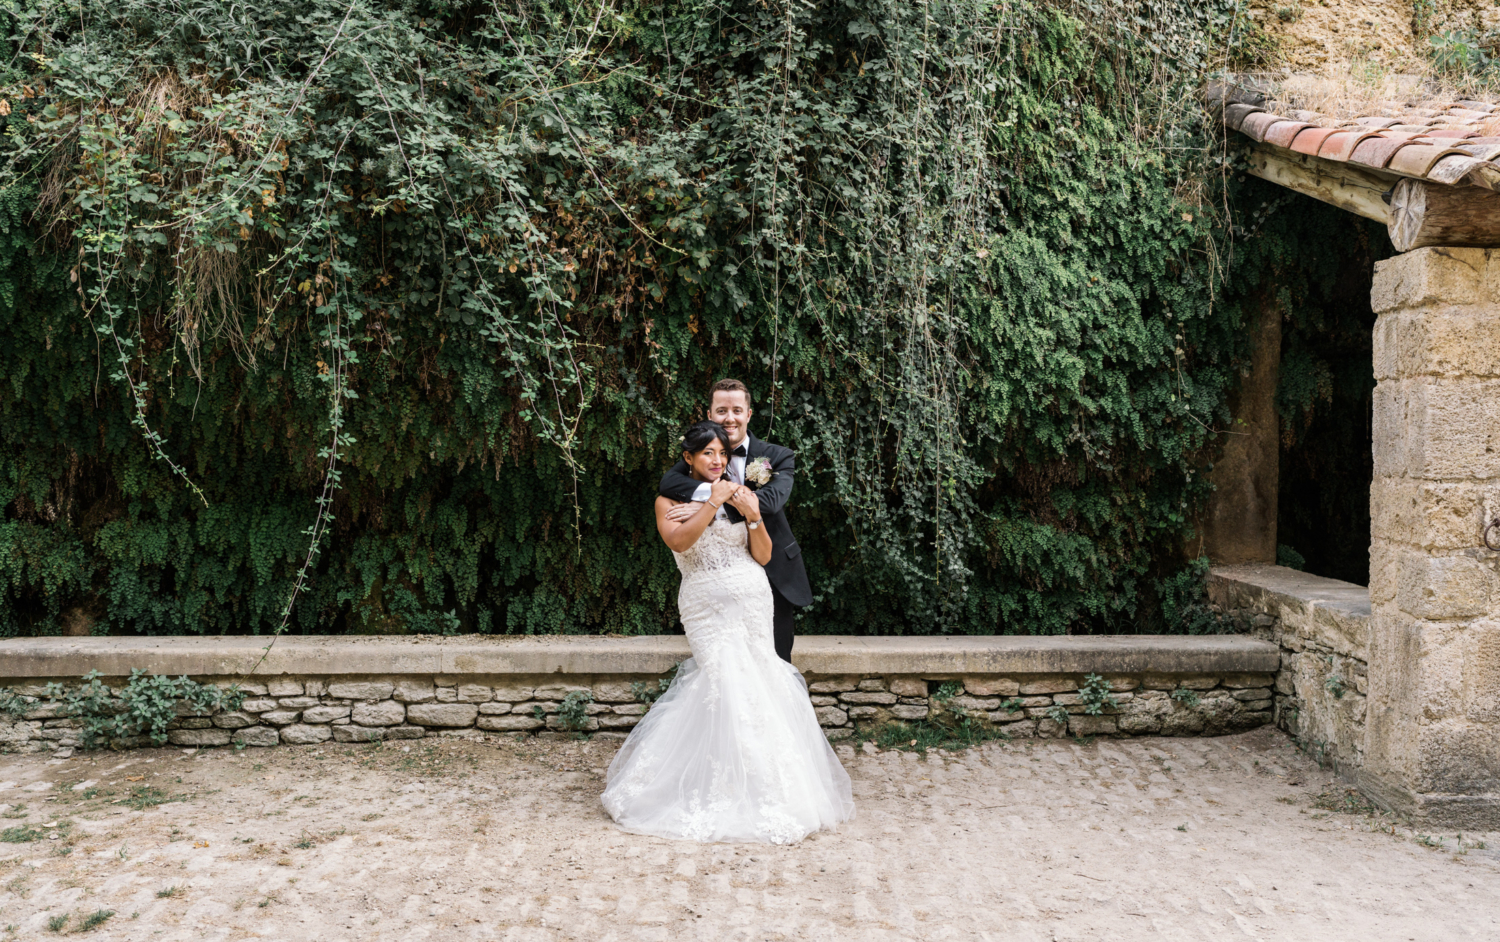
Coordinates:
730	406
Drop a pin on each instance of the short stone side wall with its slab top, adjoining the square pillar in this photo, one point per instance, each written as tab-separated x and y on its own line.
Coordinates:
1322	628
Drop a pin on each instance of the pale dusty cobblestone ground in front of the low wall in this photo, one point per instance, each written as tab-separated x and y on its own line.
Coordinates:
1165	839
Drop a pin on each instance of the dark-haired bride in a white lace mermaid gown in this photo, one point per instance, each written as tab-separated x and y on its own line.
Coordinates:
733	751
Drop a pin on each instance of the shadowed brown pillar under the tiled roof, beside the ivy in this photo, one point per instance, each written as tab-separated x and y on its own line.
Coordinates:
1240	523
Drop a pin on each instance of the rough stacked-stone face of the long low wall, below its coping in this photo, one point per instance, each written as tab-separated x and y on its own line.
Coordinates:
302	712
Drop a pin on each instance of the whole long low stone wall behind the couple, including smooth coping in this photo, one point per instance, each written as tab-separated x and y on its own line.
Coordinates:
365	691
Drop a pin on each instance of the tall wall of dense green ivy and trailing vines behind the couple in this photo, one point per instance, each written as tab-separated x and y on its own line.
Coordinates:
385	316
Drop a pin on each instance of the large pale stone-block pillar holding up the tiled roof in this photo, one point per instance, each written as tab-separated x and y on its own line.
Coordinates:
1433	727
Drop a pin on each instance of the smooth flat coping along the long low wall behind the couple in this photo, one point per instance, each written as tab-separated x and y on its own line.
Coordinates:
595	655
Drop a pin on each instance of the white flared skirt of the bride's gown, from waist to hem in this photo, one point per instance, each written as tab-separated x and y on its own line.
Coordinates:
733	752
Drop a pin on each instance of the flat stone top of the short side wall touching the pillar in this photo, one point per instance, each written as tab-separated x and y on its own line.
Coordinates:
1312	608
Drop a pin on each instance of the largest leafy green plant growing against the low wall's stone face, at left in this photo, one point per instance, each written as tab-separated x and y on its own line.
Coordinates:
146	706
